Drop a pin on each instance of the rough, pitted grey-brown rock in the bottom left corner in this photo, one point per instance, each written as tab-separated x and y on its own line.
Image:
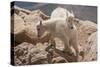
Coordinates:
22	53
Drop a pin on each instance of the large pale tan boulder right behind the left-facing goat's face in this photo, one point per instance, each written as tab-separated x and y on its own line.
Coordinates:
31	21
